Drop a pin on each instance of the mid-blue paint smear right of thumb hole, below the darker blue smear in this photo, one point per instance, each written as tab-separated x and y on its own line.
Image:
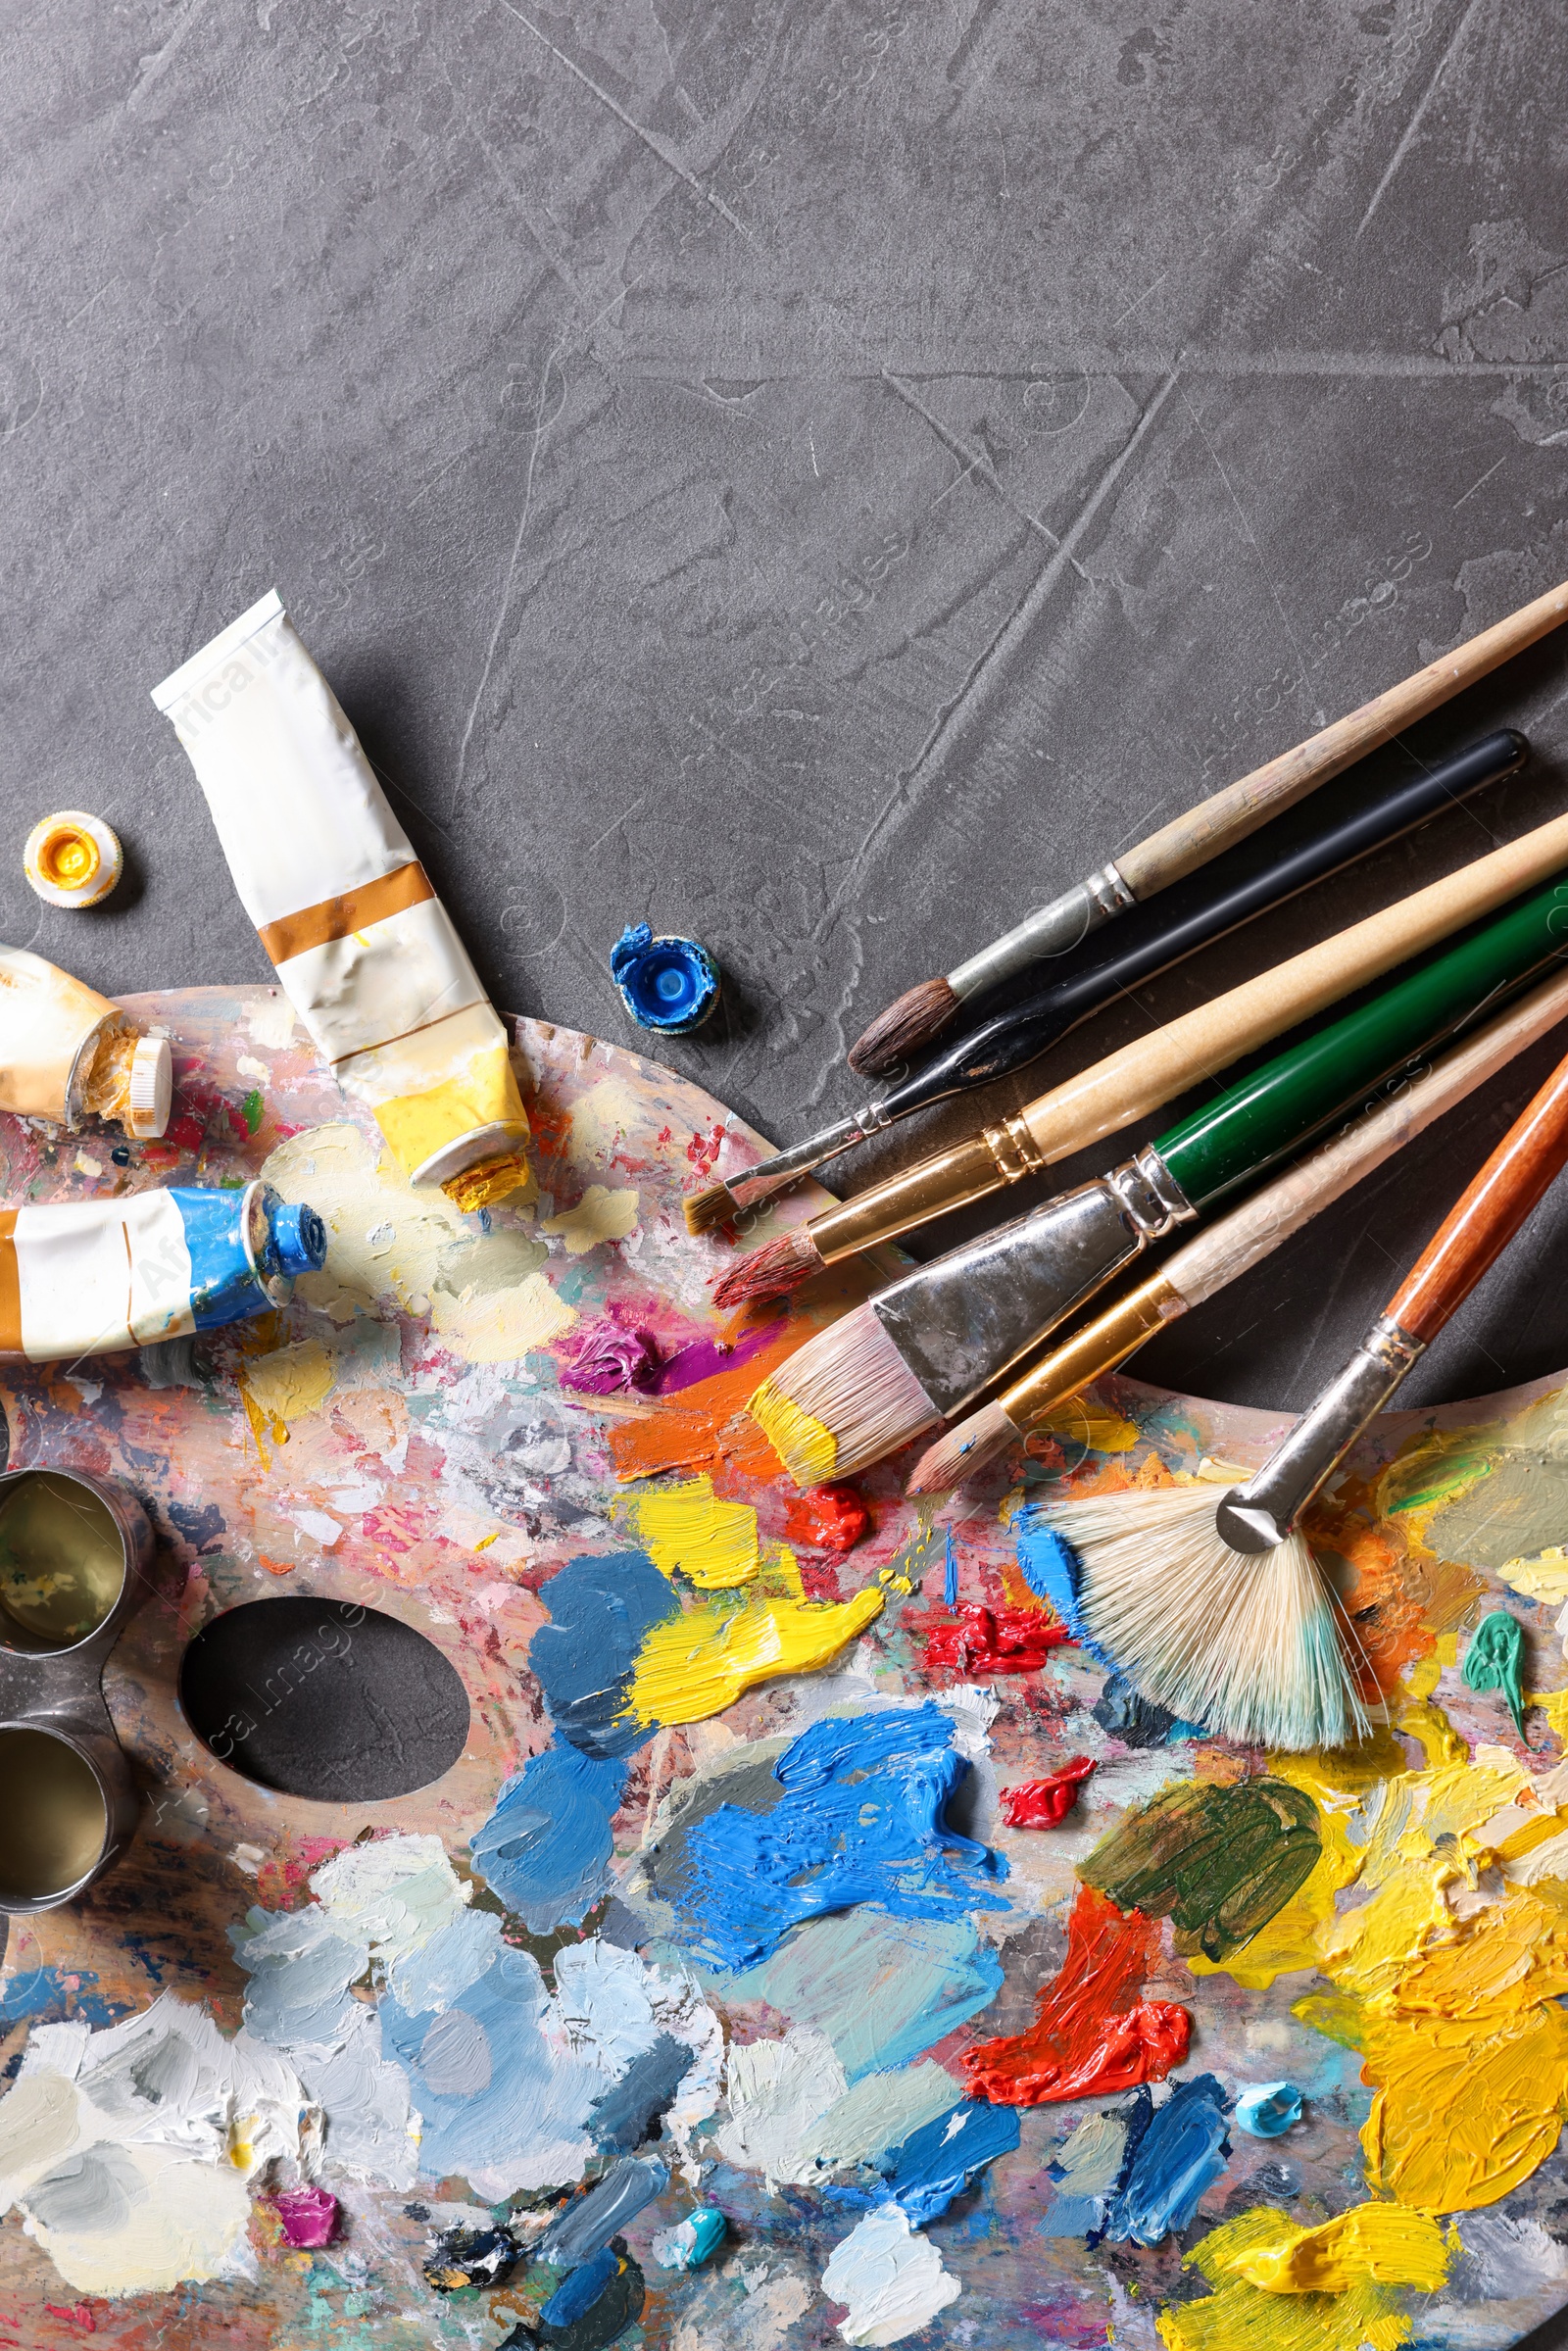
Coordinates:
547	1847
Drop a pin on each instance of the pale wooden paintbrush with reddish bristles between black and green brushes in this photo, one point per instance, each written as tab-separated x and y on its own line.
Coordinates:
1153	1071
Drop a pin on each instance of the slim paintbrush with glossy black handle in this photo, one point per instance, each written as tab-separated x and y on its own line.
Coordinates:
1151	942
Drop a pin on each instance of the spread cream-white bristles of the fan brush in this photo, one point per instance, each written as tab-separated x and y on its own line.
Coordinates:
1242	1642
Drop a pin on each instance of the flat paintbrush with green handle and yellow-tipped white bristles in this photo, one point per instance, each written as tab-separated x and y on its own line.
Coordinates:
925	1348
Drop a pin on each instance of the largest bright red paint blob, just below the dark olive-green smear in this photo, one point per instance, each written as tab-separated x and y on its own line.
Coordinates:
1094	2032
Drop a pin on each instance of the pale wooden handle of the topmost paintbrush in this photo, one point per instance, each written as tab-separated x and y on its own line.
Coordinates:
1235	812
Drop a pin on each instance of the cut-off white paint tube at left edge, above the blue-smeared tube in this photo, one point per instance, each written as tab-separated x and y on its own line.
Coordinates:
67	1054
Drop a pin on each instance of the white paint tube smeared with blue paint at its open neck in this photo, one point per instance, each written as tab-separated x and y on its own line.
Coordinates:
98	1275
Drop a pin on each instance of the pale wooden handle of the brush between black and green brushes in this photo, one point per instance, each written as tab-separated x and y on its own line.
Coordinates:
1153	1071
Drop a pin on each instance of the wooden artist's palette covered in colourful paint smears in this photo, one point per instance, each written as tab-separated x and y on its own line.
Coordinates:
697	1858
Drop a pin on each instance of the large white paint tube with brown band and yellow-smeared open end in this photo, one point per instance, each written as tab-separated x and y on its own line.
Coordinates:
363	946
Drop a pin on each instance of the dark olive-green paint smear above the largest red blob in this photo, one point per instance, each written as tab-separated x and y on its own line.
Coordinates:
1217	1861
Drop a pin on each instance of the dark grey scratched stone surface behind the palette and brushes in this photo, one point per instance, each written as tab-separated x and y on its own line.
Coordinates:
819	476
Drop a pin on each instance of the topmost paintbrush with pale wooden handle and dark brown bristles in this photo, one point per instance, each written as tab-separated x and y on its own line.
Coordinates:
1195	838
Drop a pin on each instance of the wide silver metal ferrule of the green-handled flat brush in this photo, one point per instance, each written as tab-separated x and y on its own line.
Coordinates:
963	1320
